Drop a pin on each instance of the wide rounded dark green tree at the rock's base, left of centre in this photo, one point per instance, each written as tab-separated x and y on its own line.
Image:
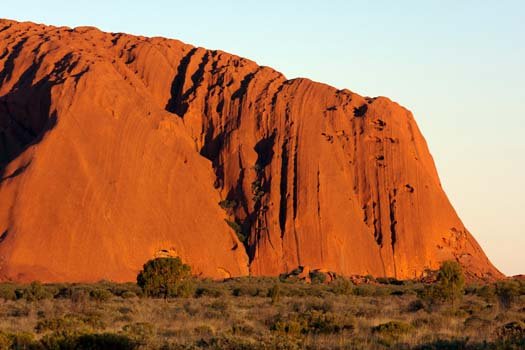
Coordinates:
165	277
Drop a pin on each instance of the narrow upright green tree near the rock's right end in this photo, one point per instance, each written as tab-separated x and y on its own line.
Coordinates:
450	282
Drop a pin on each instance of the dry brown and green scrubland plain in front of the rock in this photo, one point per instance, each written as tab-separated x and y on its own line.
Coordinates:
263	313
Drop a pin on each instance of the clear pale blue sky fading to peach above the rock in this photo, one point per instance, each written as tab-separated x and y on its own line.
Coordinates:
459	66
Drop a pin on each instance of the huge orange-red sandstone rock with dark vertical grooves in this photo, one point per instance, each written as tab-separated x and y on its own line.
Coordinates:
116	148
